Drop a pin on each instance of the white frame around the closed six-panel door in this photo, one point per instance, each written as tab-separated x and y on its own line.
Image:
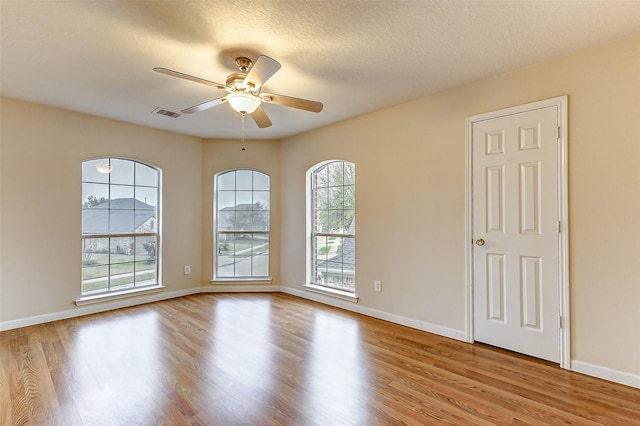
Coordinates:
561	103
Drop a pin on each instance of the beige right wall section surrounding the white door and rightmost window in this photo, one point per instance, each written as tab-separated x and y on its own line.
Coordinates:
410	198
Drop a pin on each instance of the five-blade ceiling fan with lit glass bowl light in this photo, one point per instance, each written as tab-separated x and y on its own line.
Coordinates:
244	90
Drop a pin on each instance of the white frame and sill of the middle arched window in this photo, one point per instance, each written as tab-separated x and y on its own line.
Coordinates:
242	280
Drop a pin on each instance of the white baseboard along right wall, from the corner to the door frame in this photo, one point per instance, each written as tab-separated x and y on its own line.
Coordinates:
396	319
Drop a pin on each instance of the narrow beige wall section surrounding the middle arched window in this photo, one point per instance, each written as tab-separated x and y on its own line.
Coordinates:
221	155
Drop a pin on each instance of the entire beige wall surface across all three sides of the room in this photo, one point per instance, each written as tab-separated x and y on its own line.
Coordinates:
410	165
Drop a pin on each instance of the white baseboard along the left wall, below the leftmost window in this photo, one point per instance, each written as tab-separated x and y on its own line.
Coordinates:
95	308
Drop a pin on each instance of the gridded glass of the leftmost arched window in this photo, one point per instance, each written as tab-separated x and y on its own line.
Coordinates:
120	212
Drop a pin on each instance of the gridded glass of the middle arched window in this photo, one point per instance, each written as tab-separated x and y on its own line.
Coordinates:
242	200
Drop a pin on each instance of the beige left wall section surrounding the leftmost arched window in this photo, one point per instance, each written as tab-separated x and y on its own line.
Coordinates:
42	151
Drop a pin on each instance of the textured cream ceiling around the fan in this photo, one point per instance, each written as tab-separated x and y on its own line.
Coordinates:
354	56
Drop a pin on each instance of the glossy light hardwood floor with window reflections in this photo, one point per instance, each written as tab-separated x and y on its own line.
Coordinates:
274	359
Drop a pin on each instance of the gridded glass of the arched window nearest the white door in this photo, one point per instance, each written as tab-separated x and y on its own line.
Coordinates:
333	225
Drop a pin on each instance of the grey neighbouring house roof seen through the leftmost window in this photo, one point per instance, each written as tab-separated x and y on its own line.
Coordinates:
120	215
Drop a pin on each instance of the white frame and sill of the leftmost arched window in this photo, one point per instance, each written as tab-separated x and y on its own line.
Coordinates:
132	291
